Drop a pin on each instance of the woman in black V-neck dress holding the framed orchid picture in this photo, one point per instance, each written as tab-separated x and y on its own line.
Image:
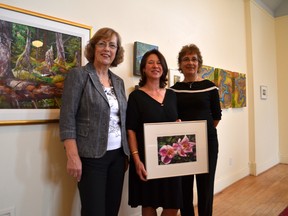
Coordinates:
152	102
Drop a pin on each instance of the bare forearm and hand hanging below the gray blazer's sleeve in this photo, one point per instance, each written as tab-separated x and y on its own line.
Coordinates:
74	164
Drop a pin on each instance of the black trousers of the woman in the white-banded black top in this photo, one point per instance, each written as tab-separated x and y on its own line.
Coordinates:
205	187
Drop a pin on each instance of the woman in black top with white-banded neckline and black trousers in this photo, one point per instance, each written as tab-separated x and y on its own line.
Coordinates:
198	99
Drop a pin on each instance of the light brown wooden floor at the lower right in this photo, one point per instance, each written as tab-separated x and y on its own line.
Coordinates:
262	195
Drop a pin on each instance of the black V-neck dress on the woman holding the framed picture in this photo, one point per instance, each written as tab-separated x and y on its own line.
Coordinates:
164	192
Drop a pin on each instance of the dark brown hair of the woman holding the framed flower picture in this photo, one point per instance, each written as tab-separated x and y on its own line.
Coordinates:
163	79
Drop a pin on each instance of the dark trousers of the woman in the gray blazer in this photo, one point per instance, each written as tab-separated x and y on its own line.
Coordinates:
101	184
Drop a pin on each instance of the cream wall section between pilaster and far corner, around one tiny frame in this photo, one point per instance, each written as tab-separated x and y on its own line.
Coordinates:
264	70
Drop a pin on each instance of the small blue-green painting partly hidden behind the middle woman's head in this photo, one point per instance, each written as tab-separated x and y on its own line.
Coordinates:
139	50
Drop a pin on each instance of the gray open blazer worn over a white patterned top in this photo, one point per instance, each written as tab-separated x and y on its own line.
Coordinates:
85	111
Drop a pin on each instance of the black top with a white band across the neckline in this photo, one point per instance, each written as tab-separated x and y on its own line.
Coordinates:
198	101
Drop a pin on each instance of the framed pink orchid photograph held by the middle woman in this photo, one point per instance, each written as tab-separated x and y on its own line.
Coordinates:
175	148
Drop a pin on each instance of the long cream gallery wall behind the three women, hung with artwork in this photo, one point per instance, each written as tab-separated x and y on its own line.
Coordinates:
236	35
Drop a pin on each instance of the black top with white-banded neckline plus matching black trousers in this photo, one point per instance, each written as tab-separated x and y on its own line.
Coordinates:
200	101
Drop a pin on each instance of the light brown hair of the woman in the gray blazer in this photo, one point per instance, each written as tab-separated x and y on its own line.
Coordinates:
104	33
